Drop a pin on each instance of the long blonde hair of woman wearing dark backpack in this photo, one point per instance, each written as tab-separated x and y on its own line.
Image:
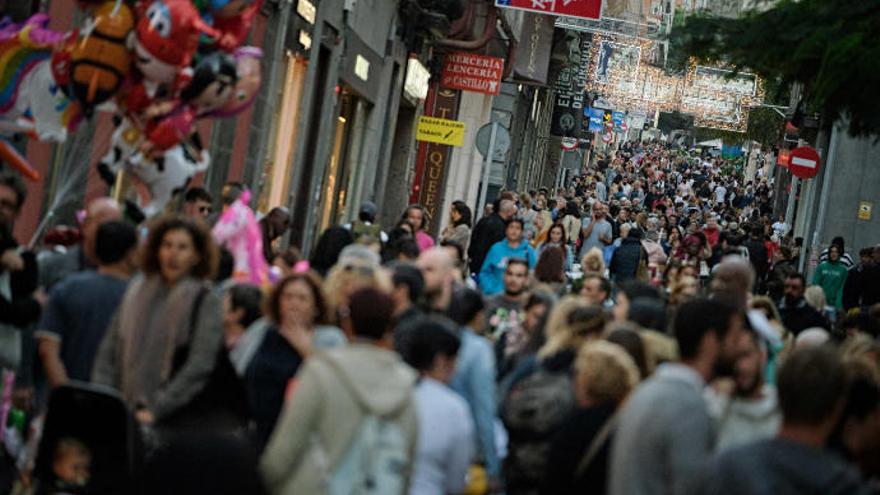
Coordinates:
571	322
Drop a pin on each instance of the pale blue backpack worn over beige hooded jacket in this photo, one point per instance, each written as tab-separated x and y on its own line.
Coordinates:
375	463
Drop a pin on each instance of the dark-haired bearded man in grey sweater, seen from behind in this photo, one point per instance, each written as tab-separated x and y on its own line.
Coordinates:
665	432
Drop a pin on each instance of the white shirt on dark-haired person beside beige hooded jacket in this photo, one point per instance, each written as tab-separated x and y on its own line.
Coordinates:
446	443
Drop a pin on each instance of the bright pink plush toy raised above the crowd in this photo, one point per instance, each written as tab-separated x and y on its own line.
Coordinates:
238	230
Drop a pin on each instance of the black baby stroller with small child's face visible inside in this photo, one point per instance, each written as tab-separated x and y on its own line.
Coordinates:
90	443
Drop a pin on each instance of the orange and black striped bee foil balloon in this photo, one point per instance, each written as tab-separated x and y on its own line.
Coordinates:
100	61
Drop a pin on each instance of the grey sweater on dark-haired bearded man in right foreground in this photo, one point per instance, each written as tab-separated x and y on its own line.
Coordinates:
664	436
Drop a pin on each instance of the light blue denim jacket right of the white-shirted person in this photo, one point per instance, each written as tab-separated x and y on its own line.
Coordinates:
474	380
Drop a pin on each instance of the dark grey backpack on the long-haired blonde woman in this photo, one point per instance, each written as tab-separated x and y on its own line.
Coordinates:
533	409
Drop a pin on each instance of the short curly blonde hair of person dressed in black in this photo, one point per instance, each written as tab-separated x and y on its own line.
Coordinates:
606	373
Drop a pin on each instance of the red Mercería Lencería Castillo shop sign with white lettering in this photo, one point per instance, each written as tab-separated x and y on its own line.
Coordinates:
470	72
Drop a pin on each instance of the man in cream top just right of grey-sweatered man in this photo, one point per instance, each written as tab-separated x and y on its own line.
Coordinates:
749	412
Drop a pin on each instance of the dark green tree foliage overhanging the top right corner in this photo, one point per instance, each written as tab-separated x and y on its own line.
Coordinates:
832	47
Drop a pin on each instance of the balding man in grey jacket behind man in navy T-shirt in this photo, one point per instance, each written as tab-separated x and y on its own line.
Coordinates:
81	257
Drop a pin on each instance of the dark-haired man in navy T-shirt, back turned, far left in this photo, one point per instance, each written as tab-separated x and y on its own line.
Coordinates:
81	306
